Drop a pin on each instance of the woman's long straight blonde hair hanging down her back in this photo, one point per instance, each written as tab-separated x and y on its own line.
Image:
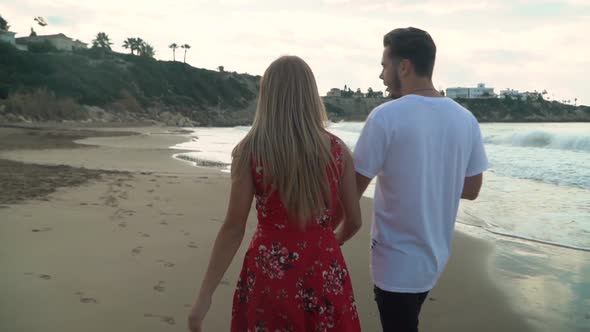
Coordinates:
288	138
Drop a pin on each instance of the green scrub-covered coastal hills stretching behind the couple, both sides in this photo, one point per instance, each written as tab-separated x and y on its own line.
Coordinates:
103	86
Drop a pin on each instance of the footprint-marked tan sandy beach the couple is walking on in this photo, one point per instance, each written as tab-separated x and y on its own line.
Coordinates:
124	247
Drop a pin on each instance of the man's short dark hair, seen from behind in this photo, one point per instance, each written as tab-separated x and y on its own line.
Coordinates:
415	45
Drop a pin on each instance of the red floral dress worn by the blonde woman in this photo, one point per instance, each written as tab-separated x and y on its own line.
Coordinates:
292	279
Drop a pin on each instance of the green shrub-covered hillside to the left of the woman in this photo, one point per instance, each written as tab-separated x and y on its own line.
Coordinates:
124	87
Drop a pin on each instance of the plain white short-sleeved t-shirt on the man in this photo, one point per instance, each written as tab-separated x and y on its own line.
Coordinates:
421	149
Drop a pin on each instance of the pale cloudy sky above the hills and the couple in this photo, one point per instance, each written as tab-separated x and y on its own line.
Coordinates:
525	45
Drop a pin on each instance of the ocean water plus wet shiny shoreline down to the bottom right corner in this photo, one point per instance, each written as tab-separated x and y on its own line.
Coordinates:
535	205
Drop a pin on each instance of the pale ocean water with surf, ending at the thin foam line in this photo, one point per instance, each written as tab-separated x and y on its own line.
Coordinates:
538	187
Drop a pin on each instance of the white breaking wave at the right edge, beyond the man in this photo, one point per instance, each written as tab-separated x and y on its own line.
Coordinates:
542	139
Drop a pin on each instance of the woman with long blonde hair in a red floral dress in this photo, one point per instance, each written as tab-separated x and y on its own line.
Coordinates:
294	277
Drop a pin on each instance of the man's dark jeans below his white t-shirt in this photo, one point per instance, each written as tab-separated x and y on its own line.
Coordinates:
399	311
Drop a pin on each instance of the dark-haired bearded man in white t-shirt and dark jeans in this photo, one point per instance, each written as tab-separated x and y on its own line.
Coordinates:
427	153
